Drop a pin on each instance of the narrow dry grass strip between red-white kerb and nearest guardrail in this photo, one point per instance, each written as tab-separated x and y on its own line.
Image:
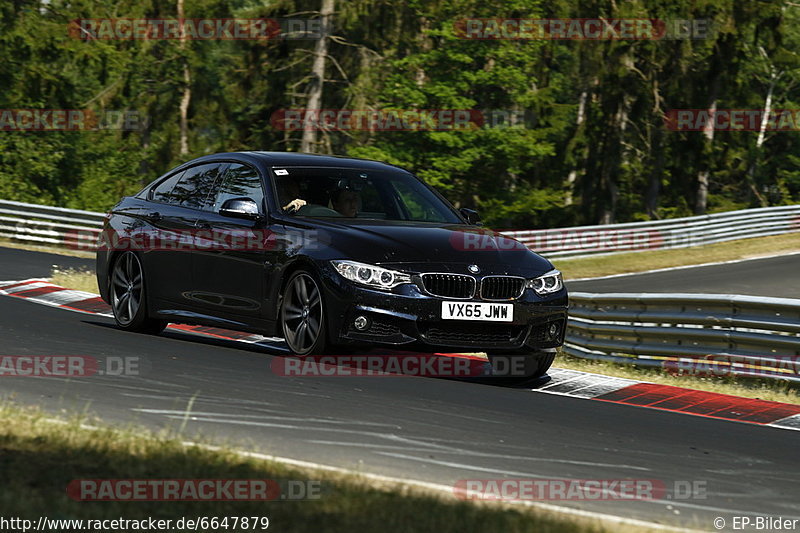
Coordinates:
763	389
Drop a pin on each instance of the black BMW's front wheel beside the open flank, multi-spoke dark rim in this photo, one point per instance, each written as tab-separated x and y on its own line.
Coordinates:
302	315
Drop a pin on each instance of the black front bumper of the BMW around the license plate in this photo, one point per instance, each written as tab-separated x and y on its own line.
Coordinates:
407	316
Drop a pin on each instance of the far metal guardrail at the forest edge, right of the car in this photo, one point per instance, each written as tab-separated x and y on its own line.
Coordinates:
661	234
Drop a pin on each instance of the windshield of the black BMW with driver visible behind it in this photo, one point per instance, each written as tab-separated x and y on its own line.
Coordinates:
359	194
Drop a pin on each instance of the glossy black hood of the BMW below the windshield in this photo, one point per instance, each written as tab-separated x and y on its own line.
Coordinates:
419	247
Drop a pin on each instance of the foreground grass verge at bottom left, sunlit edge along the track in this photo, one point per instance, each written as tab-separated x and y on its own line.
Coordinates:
40	458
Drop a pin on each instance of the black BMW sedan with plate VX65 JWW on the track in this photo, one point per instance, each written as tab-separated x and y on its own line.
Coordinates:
325	252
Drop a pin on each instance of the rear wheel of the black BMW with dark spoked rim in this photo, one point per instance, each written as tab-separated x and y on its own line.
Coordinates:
129	297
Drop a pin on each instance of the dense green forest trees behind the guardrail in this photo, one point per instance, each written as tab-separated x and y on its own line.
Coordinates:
589	144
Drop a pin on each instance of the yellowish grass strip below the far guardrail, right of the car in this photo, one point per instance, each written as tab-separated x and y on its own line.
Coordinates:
589	267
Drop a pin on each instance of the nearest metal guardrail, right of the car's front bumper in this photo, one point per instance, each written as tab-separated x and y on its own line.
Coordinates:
709	334
